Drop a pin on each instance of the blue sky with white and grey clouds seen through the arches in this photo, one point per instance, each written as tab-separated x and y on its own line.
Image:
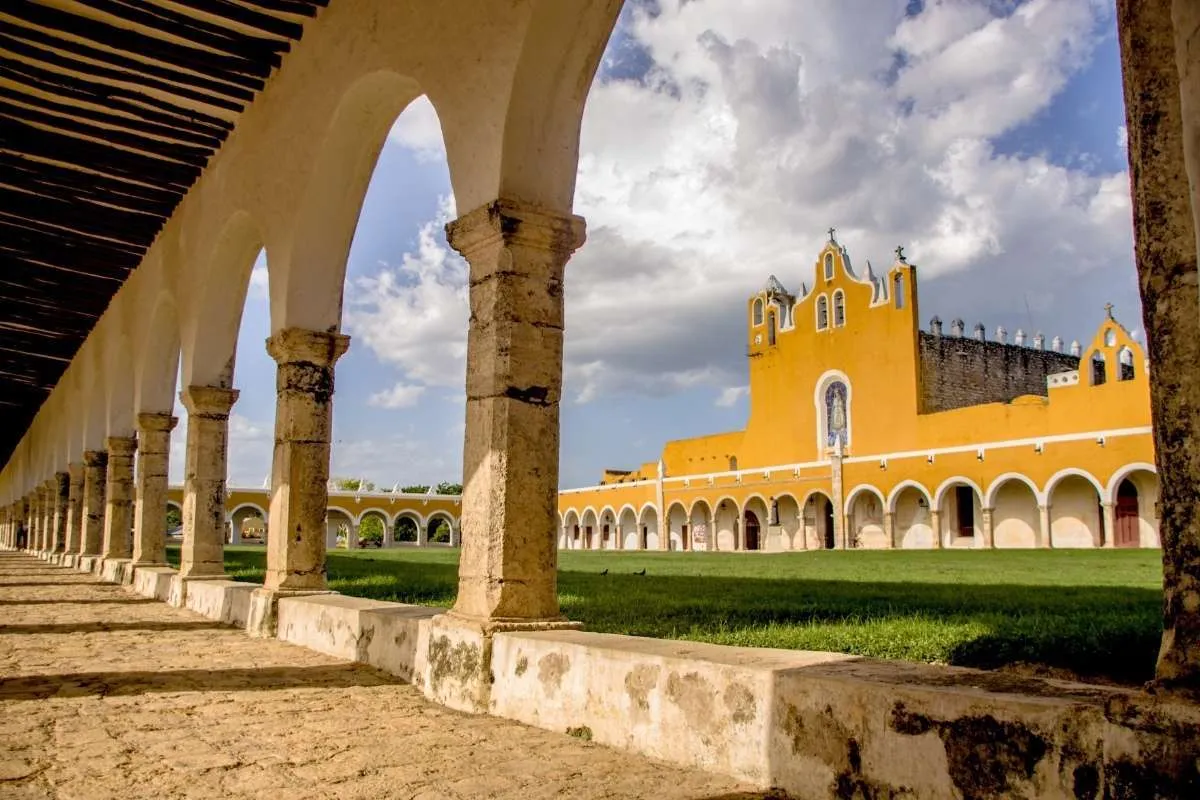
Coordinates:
985	136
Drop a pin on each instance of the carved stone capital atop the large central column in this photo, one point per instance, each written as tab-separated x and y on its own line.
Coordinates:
511	222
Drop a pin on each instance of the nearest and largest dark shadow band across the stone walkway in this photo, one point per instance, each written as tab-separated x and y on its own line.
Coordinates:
118	684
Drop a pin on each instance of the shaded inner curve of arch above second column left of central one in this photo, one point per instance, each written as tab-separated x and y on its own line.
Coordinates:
213	316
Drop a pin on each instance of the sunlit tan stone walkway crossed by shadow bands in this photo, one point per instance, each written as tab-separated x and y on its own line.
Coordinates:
106	695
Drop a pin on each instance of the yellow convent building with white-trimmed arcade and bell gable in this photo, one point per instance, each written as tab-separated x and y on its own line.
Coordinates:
868	432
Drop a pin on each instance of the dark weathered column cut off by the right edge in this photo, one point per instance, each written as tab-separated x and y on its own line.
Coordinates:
1162	159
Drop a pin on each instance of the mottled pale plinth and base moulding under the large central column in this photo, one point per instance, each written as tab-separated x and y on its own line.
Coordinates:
459	661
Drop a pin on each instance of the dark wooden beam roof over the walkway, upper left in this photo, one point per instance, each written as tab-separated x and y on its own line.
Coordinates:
110	111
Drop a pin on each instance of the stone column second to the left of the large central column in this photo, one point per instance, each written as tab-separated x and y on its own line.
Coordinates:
205	482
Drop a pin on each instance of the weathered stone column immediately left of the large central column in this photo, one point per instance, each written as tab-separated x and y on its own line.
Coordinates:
304	411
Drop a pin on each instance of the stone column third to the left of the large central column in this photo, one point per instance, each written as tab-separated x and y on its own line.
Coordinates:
151	510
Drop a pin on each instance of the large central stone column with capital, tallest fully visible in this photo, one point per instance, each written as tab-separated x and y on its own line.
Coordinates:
508	569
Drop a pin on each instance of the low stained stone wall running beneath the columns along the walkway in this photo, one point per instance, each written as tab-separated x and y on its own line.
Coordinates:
815	725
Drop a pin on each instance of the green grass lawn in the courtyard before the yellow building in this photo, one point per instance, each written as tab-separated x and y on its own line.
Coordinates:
1094	613
